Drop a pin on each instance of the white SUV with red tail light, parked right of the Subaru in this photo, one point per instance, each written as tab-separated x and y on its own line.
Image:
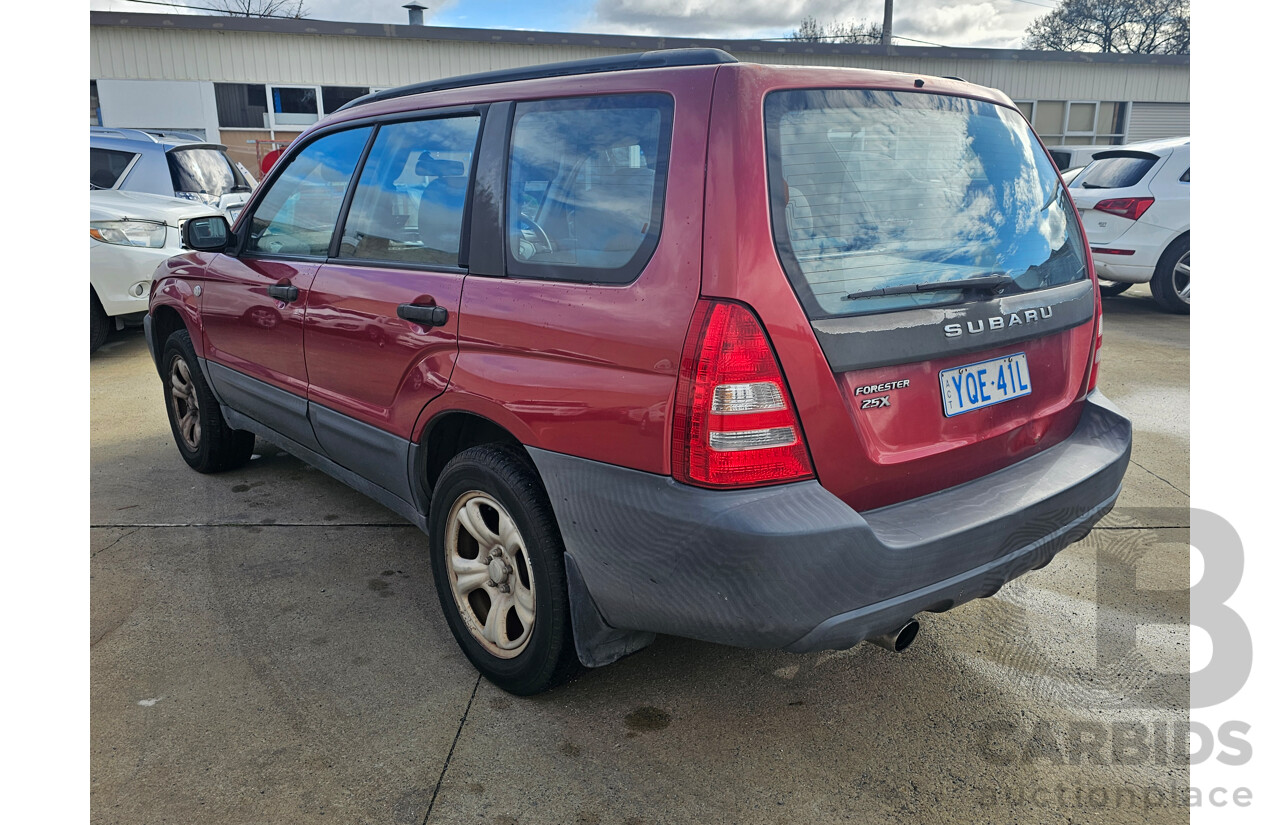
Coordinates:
1136	208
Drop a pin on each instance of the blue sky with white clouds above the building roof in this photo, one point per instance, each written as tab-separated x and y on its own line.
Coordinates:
990	24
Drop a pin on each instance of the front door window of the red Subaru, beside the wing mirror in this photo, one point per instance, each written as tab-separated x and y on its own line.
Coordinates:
298	216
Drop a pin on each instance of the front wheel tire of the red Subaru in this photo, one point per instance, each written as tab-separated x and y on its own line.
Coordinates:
207	443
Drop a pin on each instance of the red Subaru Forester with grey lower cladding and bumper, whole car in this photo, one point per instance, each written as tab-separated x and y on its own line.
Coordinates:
666	343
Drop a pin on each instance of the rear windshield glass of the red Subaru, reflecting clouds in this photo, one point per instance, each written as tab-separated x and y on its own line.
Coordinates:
876	190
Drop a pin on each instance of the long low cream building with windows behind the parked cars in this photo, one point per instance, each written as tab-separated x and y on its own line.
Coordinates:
239	81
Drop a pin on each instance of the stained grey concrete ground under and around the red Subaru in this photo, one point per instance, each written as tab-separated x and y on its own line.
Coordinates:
267	647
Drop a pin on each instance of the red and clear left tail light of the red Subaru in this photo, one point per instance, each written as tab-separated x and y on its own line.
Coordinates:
735	424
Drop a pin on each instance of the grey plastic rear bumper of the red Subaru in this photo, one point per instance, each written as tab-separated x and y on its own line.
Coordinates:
797	569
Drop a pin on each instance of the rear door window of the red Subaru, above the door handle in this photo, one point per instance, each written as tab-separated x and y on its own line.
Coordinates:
413	194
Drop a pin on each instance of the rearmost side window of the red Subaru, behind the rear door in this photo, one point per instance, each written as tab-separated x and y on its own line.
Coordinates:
586	186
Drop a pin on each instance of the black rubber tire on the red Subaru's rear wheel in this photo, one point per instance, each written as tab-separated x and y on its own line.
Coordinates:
504	475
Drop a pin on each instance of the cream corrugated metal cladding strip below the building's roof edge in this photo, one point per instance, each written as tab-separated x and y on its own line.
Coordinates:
335	61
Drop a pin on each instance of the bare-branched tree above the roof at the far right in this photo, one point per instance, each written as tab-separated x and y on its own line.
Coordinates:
1133	27
